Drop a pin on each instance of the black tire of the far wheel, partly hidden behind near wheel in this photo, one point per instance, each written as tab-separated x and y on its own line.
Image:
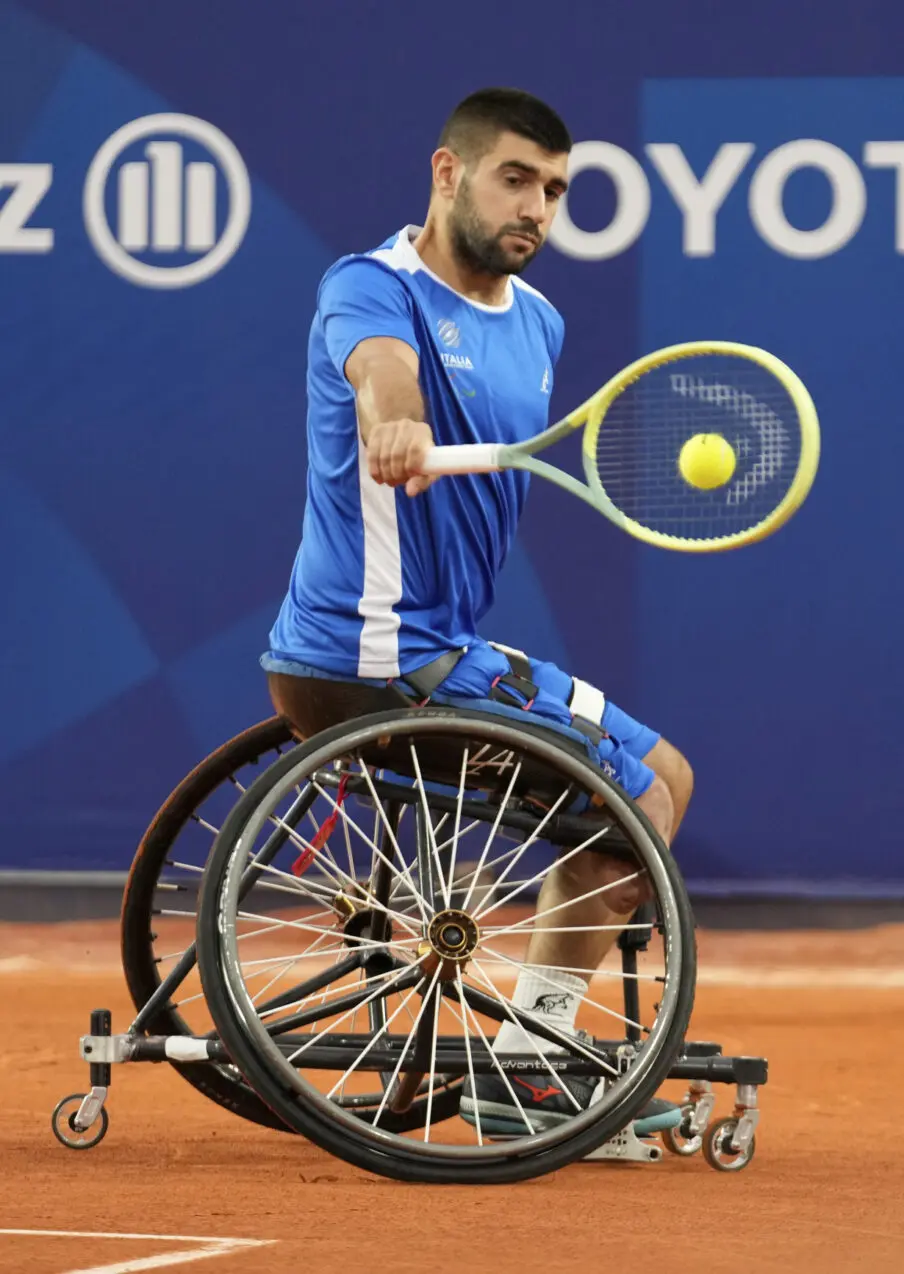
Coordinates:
222	1085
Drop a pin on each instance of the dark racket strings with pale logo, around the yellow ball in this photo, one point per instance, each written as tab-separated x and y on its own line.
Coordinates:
646	427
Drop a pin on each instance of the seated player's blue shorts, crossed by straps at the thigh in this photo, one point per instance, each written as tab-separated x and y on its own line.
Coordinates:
621	755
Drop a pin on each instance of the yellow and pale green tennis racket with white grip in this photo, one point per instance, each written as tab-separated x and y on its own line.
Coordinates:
646	439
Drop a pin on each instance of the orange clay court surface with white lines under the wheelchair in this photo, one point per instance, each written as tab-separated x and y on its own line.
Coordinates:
826	1192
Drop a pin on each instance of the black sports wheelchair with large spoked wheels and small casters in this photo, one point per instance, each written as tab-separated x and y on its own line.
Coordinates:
323	937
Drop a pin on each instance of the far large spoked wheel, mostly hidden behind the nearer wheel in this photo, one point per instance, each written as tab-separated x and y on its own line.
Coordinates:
160	906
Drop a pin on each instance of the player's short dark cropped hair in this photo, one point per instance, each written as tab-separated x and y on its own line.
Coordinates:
476	124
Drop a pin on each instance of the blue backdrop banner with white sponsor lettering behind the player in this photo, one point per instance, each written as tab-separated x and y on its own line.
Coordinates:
174	183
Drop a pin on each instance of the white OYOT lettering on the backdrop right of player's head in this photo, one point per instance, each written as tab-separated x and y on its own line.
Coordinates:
701	198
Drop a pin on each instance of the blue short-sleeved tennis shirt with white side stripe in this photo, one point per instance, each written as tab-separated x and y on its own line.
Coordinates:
384	583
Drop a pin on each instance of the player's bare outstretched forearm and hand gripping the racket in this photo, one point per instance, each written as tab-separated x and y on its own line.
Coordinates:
384	374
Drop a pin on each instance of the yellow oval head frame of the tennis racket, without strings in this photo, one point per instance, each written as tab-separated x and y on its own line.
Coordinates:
593	416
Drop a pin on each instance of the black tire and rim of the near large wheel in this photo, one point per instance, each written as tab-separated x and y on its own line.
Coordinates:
257	1056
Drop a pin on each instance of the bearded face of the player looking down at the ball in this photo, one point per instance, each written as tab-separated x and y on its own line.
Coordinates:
504	208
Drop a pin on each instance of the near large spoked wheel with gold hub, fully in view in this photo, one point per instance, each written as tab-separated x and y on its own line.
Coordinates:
372	1031
